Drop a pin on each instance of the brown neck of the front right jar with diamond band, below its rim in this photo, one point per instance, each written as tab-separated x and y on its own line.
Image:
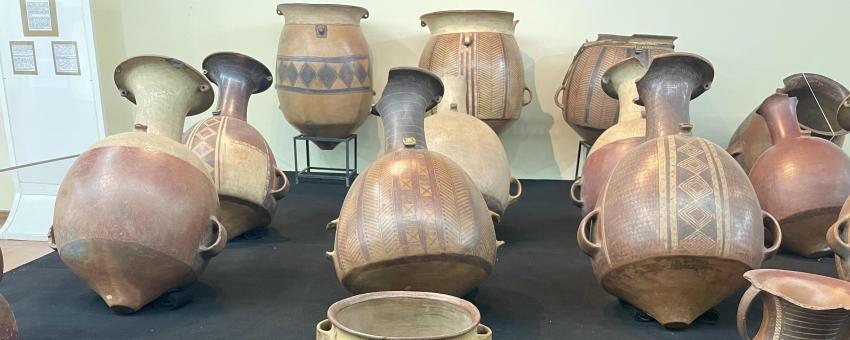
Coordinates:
667	102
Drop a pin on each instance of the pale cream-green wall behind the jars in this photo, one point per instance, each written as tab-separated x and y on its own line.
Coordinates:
753	45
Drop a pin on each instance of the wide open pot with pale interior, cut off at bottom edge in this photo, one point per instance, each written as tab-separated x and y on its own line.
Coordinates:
403	315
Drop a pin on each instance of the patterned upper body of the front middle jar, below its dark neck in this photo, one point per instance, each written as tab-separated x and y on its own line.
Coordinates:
408	204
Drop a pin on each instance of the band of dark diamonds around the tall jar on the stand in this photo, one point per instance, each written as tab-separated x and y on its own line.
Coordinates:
309	74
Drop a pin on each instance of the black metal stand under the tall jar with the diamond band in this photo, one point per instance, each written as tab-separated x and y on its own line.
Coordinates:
341	174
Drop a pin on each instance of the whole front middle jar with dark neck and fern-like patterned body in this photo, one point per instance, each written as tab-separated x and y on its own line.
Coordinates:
413	220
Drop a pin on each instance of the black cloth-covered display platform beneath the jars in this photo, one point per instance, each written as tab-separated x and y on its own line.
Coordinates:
280	286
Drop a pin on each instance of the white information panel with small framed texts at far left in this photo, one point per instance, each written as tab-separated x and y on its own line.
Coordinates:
49	113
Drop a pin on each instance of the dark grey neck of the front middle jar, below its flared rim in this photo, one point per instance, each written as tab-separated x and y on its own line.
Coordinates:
403	115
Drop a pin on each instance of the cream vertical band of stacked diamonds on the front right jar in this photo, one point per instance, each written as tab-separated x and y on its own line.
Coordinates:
695	197
